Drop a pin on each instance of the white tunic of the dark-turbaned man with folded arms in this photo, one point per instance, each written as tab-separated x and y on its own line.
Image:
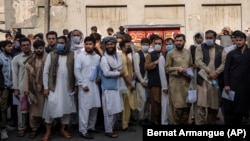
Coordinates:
111	99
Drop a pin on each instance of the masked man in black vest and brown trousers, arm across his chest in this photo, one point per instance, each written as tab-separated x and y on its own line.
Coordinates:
154	81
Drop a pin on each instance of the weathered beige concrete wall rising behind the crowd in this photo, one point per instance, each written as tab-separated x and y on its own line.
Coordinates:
194	15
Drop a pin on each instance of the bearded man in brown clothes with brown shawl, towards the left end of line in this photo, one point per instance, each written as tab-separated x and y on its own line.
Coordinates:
33	85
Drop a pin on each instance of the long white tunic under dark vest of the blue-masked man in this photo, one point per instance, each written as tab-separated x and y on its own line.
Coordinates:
58	102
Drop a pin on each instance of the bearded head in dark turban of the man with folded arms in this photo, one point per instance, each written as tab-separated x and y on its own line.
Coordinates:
110	44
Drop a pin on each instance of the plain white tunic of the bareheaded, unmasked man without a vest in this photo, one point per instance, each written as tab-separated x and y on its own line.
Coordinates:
86	66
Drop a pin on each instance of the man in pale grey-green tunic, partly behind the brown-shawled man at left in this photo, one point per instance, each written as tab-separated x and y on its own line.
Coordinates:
18	69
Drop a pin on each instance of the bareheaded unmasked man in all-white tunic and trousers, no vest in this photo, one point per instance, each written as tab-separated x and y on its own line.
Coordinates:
86	68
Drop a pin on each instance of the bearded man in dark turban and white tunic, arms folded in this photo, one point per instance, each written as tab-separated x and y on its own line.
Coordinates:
111	75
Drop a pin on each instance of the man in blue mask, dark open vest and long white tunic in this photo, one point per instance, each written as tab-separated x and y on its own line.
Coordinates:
59	85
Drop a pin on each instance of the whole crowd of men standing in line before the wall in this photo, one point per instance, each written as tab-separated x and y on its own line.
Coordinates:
69	79
